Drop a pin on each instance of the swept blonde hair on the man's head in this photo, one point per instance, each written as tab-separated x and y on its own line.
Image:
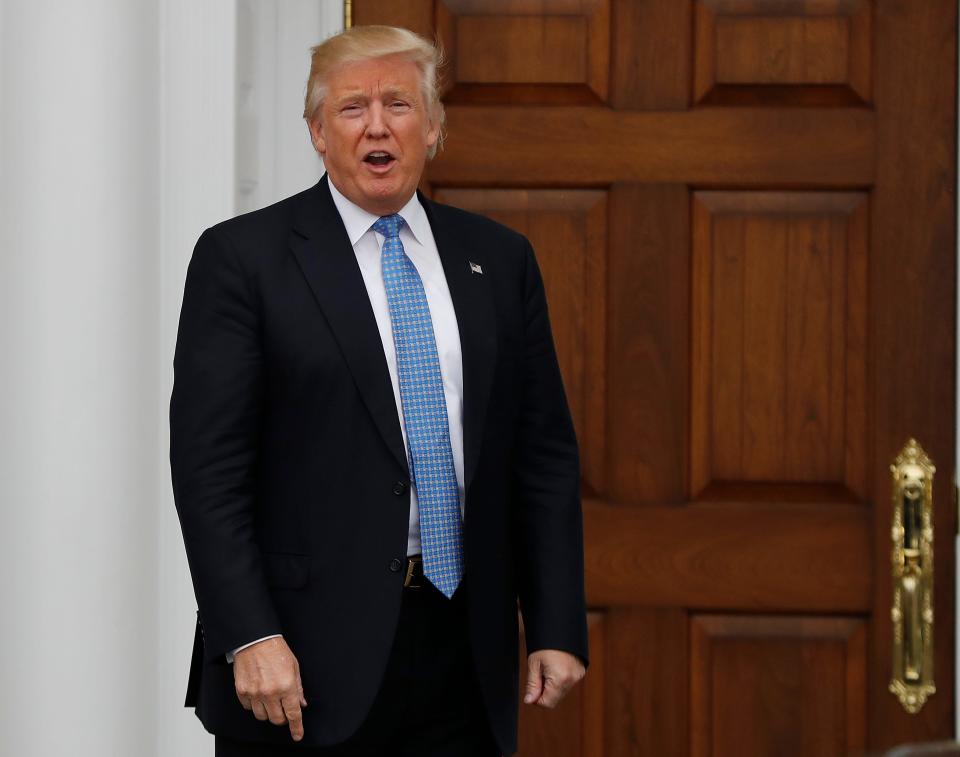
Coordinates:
361	43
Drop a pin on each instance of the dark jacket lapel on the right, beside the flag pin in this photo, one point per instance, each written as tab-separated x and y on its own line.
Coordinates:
476	319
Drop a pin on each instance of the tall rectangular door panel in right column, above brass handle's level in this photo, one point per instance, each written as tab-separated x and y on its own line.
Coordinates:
779	353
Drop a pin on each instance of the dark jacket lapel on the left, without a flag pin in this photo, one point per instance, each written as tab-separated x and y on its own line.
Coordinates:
325	255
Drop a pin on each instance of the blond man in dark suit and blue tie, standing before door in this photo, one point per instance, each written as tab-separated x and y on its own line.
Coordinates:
372	456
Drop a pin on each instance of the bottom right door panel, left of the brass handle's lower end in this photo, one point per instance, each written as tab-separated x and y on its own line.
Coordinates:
774	673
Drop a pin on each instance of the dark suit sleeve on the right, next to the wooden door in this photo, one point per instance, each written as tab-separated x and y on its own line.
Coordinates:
547	493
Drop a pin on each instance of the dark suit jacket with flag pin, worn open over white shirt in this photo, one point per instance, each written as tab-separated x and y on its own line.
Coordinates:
291	481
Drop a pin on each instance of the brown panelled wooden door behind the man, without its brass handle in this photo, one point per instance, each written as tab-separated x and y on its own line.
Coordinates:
745	215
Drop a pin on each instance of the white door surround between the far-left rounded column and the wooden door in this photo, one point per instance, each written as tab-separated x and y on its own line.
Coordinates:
205	120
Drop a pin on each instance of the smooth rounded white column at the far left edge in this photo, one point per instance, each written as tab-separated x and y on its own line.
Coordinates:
79	326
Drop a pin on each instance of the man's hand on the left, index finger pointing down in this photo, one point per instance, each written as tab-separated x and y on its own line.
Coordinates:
267	679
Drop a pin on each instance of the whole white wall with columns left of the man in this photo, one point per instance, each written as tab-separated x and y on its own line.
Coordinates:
118	135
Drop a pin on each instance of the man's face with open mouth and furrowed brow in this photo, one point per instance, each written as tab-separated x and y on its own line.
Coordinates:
374	131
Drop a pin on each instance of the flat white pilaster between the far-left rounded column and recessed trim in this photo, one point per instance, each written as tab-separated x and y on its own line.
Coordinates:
197	181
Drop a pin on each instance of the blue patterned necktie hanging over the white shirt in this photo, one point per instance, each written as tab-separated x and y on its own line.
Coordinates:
424	412
